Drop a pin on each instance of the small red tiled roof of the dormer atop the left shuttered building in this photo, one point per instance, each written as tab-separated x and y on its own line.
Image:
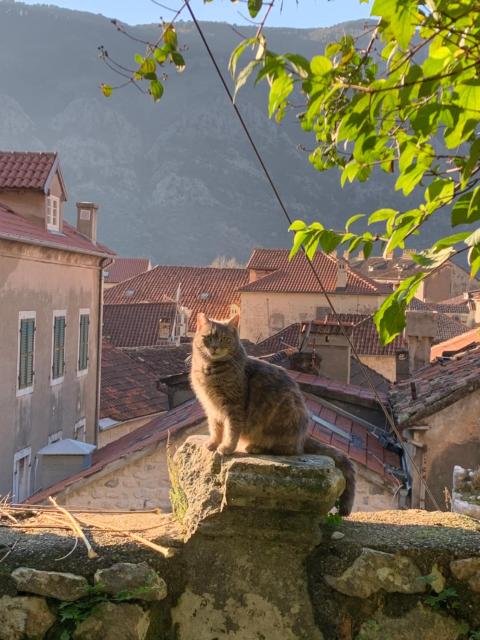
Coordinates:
25	170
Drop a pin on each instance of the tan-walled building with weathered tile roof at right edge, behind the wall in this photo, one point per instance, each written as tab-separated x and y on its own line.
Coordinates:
437	411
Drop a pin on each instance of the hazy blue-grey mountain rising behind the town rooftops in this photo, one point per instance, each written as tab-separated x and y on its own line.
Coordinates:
176	181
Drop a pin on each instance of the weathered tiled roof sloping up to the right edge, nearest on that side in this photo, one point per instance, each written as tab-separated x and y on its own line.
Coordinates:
435	387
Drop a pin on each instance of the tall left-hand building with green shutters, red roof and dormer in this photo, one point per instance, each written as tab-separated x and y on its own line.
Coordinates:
51	276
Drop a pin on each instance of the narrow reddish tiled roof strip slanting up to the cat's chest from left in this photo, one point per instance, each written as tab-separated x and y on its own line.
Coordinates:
149	435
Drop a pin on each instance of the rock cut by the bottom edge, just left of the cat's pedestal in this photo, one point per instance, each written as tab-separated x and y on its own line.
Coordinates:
110	621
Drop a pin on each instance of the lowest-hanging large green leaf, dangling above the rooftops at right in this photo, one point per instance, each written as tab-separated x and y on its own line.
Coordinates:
390	318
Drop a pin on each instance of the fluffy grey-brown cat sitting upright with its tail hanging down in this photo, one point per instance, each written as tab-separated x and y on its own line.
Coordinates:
253	403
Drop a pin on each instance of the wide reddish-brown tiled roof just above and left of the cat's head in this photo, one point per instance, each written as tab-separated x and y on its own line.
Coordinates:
206	289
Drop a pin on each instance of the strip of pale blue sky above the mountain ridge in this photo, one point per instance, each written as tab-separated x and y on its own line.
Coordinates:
307	13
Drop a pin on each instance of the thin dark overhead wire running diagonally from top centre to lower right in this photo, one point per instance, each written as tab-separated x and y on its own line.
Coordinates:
323	290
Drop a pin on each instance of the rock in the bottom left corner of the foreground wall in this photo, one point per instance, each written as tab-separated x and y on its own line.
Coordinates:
24	617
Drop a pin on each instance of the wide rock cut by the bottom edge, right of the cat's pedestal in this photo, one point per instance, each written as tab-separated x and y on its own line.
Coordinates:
420	622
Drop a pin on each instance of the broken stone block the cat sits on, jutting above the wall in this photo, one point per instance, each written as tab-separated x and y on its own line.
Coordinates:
269	484
